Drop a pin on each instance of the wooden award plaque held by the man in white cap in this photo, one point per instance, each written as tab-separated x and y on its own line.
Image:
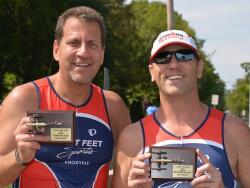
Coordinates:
173	163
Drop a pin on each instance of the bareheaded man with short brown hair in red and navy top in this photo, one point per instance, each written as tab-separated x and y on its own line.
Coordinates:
100	115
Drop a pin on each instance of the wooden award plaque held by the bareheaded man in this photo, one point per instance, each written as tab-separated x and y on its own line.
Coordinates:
58	125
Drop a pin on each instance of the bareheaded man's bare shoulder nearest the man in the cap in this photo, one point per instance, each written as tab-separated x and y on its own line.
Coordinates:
117	111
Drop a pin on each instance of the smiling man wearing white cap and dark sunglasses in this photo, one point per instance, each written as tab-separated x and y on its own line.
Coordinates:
183	121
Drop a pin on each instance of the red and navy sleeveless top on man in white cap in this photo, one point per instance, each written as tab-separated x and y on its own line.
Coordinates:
208	137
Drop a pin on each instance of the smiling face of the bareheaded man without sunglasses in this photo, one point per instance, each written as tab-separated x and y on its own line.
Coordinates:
79	53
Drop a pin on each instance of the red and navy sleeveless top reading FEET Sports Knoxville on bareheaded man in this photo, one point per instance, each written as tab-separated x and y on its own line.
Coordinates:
83	164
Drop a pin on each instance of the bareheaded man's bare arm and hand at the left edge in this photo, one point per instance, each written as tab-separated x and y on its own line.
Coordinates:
13	132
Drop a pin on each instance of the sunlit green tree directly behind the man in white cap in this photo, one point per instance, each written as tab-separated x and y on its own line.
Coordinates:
149	19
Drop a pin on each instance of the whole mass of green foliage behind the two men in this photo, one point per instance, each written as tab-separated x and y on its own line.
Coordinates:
28	30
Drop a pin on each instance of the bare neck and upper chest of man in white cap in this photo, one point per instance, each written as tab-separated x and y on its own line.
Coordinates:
181	115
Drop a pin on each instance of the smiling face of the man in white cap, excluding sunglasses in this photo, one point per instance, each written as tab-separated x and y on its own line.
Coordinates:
176	78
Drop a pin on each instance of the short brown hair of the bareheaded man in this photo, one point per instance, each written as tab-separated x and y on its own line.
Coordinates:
83	13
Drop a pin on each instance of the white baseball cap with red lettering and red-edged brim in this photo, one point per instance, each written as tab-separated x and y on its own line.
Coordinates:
171	37
